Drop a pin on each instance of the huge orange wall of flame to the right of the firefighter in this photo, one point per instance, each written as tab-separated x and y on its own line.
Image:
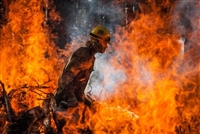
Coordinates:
161	78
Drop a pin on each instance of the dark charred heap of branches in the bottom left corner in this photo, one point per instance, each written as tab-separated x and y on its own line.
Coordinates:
30	121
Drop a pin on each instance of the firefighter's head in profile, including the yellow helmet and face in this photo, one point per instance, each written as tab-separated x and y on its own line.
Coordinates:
102	35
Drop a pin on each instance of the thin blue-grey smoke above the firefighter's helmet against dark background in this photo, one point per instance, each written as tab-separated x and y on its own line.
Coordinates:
86	14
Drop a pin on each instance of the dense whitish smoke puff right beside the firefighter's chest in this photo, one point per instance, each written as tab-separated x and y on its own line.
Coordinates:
104	78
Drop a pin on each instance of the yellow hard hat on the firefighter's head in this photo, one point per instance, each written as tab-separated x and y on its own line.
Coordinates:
101	33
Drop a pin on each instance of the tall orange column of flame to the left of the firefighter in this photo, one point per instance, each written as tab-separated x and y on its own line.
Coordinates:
29	60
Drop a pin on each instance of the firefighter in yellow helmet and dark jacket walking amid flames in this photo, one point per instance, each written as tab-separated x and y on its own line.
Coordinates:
76	73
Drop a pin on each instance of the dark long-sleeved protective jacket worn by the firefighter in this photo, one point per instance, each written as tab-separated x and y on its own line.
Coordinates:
76	73
